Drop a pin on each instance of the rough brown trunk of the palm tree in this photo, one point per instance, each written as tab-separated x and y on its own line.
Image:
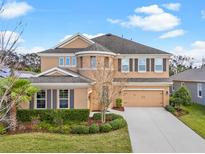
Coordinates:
13	121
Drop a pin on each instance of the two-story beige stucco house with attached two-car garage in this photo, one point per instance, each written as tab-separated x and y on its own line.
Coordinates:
66	79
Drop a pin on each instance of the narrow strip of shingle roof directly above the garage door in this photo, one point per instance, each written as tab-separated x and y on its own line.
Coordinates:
141	80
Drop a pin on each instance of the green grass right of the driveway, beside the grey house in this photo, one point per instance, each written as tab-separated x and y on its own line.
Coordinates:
195	119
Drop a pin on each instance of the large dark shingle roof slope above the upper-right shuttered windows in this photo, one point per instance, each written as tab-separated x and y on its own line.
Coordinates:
124	46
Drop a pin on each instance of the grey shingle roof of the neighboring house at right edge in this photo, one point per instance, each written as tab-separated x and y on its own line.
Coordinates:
190	75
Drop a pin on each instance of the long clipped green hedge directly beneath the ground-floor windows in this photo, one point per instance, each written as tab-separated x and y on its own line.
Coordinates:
50	115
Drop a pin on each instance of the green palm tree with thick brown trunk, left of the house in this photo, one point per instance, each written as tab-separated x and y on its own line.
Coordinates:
18	91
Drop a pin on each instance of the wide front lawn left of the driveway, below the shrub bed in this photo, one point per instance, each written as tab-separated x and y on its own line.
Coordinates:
116	141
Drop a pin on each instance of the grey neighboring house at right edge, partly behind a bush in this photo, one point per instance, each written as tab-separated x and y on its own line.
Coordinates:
194	80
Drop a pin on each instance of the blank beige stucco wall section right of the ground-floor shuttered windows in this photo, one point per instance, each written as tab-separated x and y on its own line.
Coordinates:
81	98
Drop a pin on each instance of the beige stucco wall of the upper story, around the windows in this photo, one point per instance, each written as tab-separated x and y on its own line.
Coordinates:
50	62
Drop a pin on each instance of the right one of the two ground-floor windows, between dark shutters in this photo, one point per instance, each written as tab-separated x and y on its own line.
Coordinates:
63	98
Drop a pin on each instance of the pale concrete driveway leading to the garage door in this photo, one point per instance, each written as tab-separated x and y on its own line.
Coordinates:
156	130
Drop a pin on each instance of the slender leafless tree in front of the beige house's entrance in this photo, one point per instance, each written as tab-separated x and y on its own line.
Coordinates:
105	91
